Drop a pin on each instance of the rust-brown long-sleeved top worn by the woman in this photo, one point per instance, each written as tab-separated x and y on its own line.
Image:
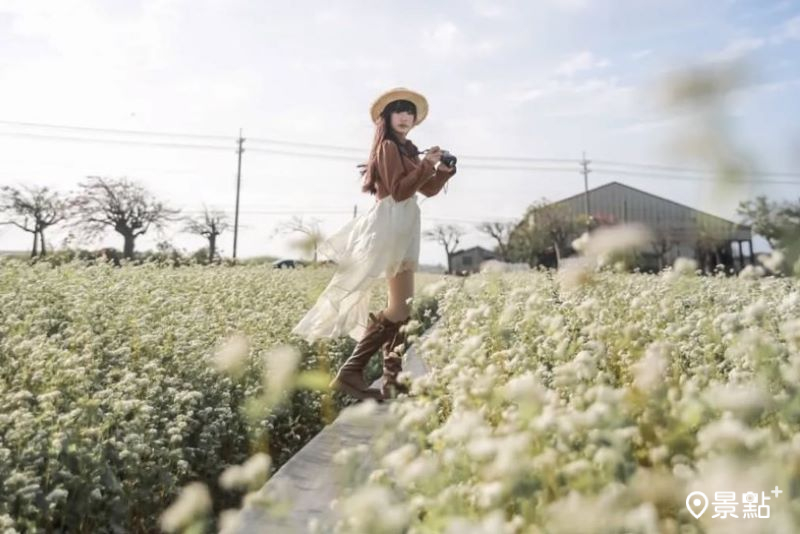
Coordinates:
403	174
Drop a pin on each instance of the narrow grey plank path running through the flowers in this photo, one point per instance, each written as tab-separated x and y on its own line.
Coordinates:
311	480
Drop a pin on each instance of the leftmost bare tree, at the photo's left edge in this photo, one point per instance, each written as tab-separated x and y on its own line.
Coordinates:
32	210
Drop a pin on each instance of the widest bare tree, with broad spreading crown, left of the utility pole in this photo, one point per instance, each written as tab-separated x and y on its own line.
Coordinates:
122	205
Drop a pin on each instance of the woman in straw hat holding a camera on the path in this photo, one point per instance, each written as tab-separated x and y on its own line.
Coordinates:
384	242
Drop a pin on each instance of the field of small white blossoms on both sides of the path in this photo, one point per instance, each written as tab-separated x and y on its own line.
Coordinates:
140	398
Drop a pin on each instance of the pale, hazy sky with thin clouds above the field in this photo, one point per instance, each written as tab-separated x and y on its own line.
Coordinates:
551	79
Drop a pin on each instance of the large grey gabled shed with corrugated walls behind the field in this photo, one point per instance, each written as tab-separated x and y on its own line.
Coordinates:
680	230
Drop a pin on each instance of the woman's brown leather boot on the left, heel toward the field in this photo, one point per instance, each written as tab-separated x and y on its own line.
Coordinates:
350	378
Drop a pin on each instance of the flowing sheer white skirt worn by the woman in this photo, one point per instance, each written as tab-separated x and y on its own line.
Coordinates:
377	244
